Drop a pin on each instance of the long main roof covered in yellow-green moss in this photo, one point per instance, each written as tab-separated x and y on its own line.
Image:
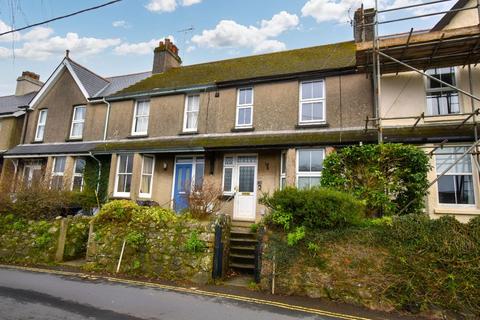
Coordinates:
325	57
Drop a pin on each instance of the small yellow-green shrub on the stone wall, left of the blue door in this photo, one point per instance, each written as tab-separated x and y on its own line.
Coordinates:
119	211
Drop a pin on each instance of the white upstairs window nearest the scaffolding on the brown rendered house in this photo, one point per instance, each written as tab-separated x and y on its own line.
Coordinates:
312	102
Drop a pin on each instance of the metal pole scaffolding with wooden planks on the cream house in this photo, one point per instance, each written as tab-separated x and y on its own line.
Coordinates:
417	52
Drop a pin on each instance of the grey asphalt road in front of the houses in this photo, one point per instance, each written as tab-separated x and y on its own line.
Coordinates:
33	295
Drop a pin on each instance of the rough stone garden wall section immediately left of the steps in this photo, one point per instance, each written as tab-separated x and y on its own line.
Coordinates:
156	250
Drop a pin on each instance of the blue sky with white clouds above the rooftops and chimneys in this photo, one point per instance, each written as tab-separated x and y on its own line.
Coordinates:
119	39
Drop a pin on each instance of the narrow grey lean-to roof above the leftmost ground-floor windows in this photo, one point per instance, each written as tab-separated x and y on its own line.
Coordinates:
52	148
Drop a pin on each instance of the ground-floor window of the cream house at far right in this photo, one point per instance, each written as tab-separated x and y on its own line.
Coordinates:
455	186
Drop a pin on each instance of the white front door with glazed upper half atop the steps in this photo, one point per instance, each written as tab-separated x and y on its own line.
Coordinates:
245	188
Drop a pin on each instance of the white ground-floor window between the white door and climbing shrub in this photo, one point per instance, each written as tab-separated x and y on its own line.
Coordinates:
309	167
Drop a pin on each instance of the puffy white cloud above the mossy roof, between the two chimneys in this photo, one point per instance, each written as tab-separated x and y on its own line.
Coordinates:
230	34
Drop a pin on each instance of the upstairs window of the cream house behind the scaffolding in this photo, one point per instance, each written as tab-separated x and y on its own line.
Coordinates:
442	100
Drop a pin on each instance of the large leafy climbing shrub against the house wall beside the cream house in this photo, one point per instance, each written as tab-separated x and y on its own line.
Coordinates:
387	176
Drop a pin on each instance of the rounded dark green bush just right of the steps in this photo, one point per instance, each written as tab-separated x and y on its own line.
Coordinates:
315	208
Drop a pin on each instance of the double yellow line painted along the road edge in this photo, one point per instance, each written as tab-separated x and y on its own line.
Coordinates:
194	291
